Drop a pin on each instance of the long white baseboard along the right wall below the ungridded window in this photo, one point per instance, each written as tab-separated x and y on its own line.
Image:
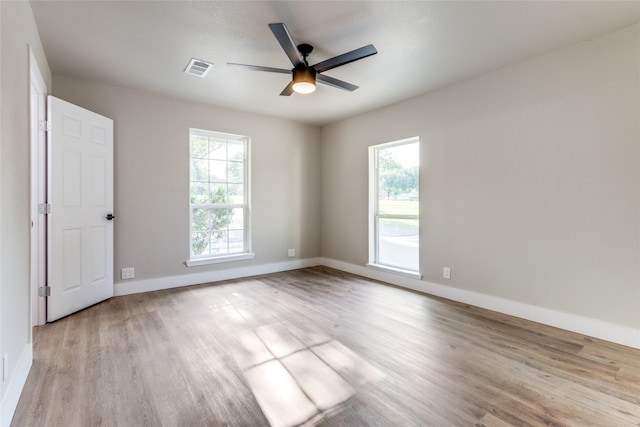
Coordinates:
583	325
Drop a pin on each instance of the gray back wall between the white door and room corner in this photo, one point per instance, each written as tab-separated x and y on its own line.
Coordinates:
151	168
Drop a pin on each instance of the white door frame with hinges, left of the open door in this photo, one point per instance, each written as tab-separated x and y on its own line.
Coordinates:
38	256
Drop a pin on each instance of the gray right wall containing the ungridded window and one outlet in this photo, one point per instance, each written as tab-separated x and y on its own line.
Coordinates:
529	180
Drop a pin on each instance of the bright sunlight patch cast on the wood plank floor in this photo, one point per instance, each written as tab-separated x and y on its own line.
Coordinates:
299	375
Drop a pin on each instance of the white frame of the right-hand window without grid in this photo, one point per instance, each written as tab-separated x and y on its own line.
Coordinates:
374	214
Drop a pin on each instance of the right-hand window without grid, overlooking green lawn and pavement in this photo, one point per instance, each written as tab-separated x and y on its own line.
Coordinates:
394	206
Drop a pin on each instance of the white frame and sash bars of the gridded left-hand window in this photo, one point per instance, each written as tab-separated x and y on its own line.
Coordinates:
196	260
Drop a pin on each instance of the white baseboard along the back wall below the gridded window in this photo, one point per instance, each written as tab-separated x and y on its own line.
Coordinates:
146	285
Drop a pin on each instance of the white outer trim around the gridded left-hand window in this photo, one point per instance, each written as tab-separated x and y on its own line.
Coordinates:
247	253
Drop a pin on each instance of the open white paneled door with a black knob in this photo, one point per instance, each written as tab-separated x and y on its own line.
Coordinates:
80	185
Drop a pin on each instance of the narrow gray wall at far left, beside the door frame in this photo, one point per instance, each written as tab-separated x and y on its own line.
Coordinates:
18	32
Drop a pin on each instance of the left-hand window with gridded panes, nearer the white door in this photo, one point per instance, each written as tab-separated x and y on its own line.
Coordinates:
219	197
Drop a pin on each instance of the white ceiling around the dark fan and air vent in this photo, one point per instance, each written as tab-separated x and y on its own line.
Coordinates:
421	45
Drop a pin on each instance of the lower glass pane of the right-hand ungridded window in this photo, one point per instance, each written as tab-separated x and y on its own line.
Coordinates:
398	243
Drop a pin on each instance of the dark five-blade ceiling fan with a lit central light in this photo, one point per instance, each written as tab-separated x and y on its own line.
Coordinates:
305	75
